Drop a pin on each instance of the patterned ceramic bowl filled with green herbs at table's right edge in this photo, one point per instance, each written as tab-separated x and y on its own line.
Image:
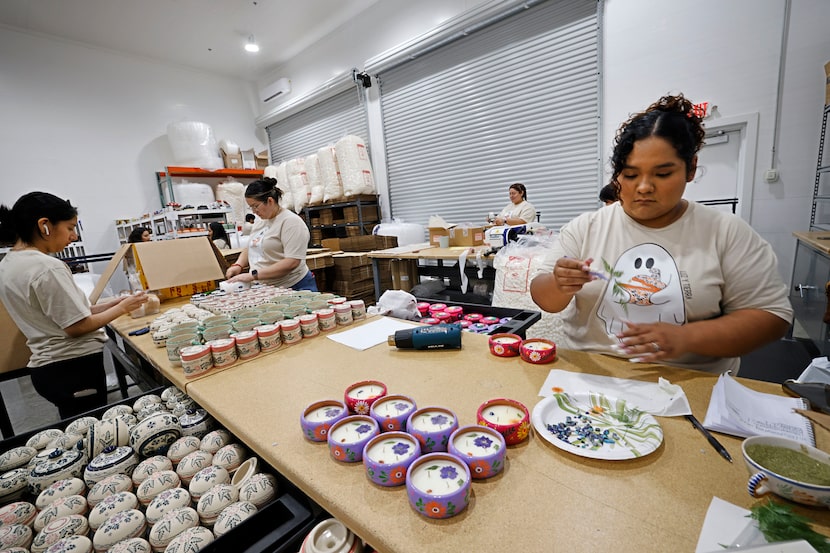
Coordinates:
787	468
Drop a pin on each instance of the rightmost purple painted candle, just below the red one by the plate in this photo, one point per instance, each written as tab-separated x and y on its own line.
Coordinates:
481	447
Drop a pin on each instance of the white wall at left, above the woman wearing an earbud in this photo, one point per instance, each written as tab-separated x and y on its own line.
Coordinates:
91	125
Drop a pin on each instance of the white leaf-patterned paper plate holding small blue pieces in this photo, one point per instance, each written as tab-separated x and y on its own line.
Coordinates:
631	433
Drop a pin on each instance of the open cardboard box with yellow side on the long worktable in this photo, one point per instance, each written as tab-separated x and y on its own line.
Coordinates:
173	268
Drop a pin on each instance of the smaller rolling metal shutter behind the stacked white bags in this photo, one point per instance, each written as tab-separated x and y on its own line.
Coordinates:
325	122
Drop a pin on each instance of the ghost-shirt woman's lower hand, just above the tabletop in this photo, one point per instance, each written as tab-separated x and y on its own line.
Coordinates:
651	342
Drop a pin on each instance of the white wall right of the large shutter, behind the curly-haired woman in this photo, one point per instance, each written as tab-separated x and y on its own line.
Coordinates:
727	53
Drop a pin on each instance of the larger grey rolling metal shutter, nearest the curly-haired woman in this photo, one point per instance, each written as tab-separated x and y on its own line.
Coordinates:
517	101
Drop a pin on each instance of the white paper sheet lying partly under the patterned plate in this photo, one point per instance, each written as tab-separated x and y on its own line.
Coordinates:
661	399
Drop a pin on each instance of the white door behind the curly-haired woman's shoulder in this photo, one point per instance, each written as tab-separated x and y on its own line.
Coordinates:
717	180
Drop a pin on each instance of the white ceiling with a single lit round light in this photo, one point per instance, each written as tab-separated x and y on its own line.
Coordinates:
202	34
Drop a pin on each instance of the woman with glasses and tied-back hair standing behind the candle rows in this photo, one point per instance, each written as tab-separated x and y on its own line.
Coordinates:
278	244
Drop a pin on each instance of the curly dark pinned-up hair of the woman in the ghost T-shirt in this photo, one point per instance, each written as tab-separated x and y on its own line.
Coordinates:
671	118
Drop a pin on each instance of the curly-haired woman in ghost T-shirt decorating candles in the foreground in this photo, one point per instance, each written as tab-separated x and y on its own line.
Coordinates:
657	278
